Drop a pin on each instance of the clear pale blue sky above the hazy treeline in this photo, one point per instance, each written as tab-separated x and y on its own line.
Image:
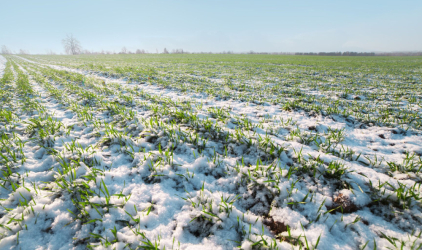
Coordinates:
213	25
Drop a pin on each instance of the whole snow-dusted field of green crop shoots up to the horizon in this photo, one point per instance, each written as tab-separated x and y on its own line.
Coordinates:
116	153
